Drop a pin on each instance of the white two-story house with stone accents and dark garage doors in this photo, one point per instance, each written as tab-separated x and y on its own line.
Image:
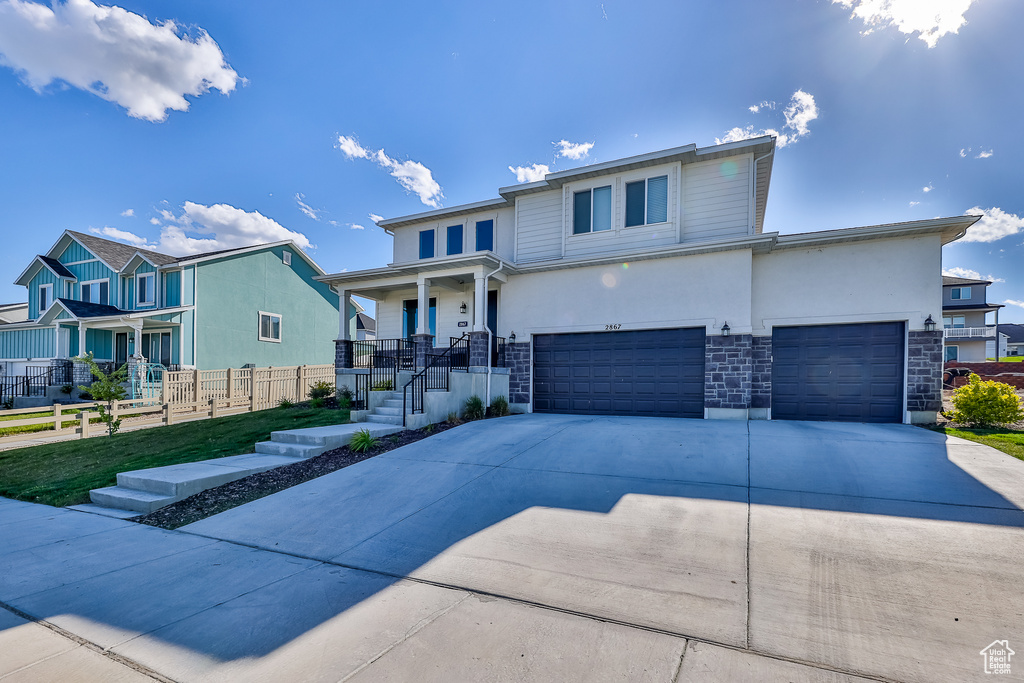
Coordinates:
647	286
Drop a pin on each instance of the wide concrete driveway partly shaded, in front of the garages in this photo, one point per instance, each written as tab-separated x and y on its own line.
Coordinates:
564	548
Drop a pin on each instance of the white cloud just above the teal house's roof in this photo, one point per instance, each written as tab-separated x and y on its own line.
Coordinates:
202	229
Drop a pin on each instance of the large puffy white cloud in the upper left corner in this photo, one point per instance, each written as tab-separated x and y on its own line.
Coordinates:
113	54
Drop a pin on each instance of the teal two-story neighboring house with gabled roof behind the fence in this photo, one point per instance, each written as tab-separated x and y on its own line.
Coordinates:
230	309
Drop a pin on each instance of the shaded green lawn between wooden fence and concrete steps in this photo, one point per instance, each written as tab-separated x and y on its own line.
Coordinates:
63	474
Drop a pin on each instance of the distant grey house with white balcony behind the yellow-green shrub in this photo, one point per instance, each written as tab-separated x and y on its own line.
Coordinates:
968	337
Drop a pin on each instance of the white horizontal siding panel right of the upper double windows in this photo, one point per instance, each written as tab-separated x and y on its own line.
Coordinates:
717	199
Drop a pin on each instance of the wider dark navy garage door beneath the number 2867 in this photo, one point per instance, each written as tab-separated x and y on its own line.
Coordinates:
656	373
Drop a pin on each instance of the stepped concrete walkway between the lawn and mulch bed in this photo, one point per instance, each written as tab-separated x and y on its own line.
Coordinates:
143	492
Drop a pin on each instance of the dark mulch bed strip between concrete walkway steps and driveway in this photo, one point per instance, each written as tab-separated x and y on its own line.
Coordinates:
254	487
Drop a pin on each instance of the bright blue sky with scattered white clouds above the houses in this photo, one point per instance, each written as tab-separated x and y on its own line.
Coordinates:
196	125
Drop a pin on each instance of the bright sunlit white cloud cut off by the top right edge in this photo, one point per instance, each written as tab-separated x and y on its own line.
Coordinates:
930	19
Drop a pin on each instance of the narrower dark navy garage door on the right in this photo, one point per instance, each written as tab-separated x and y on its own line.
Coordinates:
845	373
